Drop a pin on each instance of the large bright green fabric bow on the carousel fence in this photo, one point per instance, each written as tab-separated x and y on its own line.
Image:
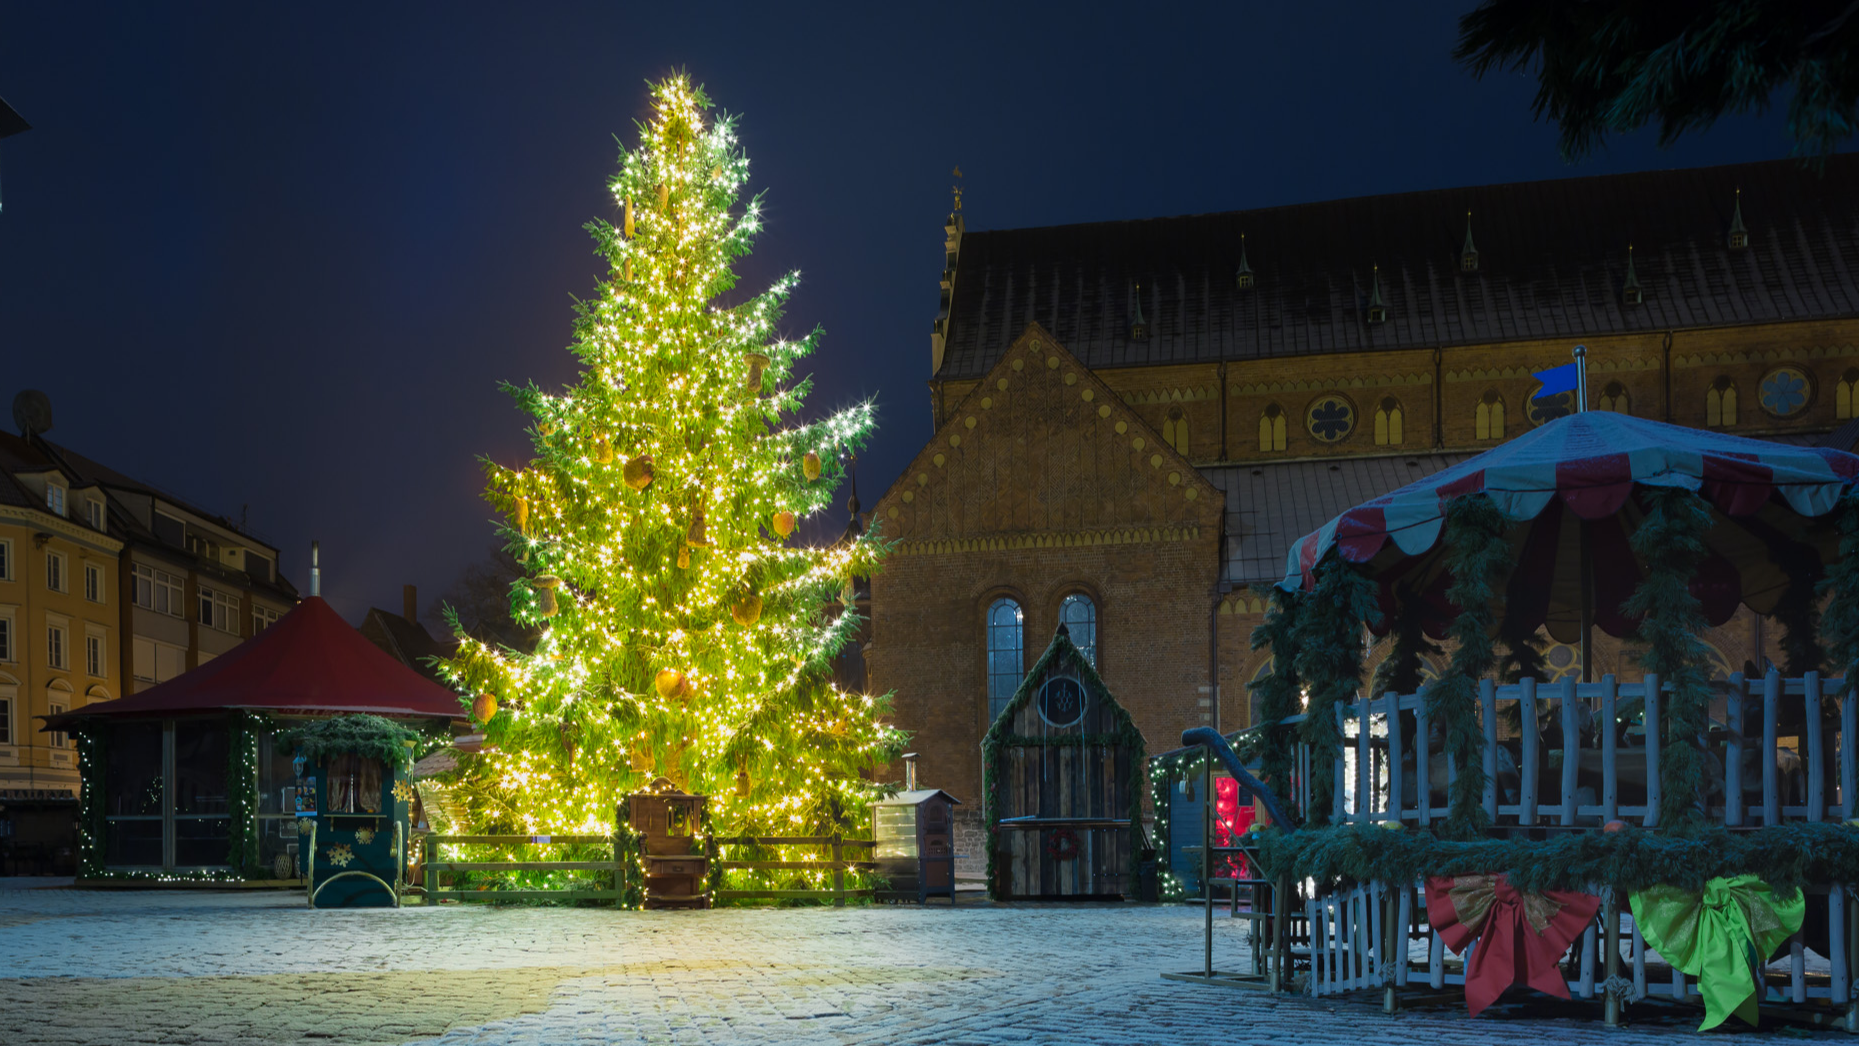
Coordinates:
1722	937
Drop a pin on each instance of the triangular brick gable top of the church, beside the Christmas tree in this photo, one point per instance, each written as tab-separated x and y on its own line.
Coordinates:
1044	452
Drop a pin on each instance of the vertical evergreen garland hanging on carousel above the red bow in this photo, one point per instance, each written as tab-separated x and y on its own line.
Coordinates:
1479	558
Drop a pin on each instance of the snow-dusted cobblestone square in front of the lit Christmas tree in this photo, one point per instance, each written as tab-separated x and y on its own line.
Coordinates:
85	967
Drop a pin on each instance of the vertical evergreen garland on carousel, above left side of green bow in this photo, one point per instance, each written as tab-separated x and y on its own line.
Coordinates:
1672	545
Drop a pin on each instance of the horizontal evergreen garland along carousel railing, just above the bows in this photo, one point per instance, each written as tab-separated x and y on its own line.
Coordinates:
1784	856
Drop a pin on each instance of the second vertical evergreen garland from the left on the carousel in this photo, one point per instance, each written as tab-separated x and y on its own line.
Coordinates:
1330	660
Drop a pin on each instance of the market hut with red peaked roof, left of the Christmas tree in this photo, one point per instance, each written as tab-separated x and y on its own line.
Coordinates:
185	781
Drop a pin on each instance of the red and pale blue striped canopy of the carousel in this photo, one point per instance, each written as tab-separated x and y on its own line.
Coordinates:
1570	484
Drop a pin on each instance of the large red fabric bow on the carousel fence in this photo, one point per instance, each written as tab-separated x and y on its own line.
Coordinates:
1522	937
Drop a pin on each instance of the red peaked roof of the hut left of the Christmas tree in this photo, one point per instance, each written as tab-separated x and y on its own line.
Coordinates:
311	660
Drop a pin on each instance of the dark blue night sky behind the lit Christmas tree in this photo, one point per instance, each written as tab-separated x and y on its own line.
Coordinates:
276	259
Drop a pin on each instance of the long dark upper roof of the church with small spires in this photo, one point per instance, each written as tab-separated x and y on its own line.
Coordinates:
1551	265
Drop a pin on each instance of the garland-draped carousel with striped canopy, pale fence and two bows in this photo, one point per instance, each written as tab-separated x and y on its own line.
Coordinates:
1628	846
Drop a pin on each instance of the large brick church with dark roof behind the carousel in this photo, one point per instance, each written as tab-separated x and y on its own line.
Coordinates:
1137	419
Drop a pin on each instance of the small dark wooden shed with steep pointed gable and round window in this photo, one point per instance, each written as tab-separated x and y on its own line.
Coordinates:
1061	772
